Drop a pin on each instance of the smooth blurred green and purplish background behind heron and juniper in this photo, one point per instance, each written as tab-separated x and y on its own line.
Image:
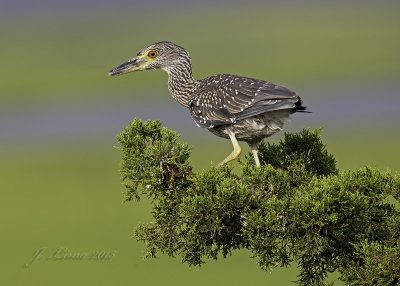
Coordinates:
59	114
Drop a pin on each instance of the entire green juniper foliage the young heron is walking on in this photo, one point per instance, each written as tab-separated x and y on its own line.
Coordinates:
297	207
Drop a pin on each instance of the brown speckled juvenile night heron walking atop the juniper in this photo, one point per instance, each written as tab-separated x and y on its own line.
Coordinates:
234	107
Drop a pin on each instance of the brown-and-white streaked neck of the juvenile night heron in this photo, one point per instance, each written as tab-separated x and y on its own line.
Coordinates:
181	83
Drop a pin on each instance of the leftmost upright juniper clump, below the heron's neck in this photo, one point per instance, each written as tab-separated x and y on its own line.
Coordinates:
153	159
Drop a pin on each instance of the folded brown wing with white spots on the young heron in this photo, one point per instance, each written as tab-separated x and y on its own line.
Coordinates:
224	99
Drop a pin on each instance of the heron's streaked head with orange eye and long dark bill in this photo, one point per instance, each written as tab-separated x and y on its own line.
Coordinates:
161	55
